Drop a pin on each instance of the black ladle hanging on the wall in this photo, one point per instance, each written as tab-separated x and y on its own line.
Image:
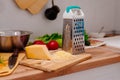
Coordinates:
51	13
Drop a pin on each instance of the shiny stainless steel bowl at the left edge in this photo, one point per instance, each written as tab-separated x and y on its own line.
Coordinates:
13	39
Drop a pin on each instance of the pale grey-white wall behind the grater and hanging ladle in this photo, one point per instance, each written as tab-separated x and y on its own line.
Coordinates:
98	13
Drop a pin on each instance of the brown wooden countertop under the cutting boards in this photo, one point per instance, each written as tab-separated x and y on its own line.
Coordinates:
100	56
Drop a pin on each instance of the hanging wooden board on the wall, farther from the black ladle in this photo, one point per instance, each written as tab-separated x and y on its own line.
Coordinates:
24	4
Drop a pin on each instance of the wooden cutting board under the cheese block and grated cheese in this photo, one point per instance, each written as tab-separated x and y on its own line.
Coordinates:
55	65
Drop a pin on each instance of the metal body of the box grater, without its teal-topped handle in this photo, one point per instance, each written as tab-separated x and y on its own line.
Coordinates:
73	35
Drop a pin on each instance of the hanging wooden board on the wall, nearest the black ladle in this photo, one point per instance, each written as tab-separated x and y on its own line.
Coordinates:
37	6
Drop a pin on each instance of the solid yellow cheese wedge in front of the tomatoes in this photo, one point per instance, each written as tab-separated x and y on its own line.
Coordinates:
38	52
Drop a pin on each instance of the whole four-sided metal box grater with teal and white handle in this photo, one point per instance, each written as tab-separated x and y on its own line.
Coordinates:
73	30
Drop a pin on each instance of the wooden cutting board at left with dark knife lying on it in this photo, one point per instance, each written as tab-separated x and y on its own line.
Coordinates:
5	70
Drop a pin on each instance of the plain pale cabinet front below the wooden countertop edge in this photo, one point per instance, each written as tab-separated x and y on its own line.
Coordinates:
107	72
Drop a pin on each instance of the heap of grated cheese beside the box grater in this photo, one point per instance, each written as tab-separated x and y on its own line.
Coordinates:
61	55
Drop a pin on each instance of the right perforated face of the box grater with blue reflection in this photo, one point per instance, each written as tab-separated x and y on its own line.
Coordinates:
78	36
